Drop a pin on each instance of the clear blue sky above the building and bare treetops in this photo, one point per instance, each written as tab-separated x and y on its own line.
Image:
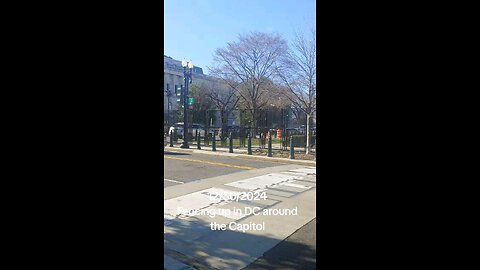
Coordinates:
194	29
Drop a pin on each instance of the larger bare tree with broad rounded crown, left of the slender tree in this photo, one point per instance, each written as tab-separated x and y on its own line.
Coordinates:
248	66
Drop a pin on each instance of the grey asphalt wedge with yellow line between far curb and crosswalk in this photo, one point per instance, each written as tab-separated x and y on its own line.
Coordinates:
187	167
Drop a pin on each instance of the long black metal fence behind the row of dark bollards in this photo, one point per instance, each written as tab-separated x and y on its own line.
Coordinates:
208	125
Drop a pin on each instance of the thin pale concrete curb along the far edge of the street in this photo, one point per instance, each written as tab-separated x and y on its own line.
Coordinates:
221	153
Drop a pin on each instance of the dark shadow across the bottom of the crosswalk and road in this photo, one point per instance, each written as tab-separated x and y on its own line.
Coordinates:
195	244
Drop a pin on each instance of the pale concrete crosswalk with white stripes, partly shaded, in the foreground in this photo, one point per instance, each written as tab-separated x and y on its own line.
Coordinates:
190	241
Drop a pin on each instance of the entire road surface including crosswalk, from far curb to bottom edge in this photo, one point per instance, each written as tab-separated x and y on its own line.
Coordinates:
287	242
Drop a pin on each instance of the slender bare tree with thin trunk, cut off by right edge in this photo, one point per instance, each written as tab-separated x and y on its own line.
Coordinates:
297	72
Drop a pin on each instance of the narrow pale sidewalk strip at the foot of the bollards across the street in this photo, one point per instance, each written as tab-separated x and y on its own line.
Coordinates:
242	153
